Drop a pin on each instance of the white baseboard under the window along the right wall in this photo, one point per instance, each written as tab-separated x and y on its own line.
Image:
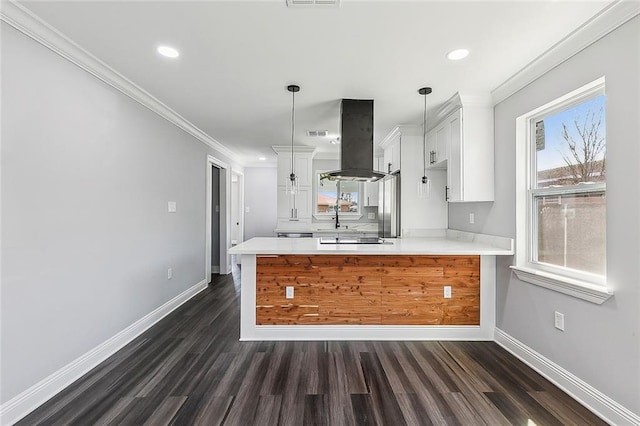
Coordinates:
600	404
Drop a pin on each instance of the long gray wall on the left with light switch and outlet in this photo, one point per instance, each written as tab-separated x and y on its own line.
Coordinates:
86	238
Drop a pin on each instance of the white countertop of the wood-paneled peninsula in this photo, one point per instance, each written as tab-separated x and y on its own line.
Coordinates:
452	243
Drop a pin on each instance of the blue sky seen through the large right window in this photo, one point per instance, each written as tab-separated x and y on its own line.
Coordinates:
550	157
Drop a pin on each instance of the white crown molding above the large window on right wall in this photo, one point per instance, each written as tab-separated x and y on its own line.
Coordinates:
610	18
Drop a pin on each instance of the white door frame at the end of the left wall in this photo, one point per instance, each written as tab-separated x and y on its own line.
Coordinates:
225	215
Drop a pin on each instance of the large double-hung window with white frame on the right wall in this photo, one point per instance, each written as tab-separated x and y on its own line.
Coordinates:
561	194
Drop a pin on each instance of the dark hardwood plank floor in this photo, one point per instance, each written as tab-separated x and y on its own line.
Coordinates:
190	368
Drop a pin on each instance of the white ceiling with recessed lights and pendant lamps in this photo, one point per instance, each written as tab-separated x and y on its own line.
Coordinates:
237	57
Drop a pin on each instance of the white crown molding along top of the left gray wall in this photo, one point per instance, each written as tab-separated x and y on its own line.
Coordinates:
31	25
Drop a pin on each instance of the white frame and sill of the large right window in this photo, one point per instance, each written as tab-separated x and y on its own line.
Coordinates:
579	284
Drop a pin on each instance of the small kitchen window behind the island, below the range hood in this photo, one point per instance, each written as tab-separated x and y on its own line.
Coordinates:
331	193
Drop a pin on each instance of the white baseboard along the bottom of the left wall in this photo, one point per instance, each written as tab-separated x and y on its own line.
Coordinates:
24	403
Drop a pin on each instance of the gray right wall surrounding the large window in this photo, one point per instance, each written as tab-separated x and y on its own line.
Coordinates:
601	344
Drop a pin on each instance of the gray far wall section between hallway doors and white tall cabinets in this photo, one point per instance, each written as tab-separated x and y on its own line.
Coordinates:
260	193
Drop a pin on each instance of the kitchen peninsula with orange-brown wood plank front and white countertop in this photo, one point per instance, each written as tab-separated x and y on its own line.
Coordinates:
411	288
